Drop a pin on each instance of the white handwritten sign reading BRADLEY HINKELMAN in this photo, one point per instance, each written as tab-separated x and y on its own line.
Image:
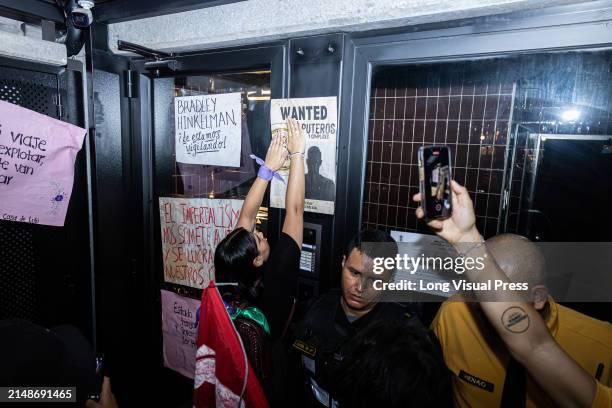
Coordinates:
208	129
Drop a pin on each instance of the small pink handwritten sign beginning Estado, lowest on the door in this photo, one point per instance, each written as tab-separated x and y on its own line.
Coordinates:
180	332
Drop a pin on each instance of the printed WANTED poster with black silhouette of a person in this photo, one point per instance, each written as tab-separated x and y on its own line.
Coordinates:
319	119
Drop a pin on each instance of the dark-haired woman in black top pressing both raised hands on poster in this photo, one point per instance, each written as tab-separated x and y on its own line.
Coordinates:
264	280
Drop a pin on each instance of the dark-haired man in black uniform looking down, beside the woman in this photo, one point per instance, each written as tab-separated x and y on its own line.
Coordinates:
323	338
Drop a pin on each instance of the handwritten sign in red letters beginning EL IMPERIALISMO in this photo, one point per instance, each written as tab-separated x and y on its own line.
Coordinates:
191	228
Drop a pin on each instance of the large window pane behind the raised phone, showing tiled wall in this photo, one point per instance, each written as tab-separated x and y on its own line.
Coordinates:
504	120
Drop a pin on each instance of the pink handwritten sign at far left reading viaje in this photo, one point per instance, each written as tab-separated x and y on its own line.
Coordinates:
37	155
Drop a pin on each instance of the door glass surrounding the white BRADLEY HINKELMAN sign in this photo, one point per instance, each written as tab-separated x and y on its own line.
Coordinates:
196	180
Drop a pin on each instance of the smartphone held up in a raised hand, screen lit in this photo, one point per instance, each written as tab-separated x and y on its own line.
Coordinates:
434	181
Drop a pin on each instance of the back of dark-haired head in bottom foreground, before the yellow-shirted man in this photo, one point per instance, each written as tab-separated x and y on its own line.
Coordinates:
391	364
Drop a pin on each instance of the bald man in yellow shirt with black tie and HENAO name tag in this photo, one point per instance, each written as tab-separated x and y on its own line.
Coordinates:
477	356
